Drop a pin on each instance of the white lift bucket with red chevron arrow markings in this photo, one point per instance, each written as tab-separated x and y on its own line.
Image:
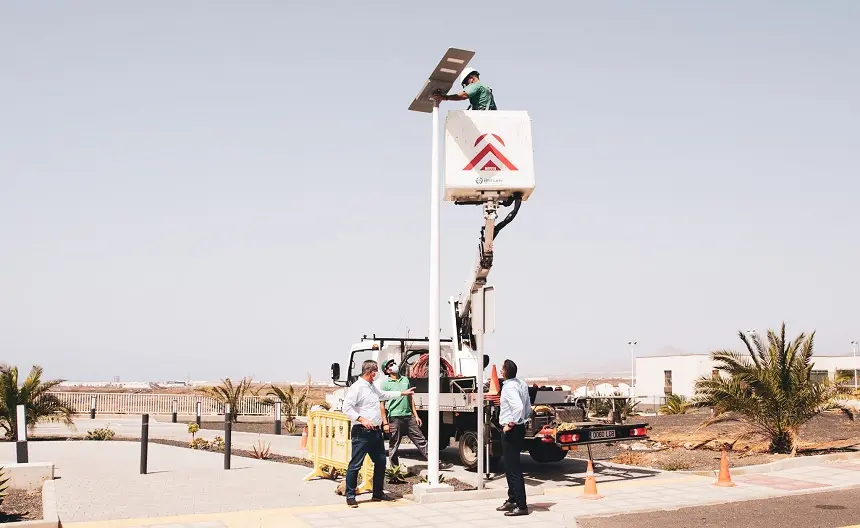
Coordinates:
488	155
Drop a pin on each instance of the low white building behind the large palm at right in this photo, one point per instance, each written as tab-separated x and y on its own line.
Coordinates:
662	375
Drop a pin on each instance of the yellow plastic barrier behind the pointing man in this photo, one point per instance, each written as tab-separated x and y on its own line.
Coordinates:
330	444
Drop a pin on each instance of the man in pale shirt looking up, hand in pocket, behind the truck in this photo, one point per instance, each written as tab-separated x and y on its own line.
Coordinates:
515	410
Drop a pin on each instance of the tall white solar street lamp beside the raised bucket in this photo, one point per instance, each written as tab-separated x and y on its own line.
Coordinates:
441	80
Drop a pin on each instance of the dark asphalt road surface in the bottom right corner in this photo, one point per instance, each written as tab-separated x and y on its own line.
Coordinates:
833	509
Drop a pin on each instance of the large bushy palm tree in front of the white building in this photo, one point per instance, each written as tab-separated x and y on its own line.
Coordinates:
771	391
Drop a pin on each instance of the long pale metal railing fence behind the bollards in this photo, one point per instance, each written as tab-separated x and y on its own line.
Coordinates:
124	403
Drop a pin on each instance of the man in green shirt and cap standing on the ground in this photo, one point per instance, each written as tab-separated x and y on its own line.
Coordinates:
400	417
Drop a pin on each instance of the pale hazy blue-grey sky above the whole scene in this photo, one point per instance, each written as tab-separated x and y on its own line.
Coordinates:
214	189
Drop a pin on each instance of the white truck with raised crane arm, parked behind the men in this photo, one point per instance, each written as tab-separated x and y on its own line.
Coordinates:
558	422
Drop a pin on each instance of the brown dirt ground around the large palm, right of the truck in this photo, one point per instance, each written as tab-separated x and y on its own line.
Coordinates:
678	444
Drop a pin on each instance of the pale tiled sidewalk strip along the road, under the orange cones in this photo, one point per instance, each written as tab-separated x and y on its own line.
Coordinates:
560	506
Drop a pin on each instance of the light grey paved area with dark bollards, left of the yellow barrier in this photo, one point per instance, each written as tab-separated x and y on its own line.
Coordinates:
102	480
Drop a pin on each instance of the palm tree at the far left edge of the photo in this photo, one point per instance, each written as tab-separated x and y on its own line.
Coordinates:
40	405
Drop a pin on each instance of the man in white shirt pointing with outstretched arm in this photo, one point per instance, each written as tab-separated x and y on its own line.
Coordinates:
361	404
